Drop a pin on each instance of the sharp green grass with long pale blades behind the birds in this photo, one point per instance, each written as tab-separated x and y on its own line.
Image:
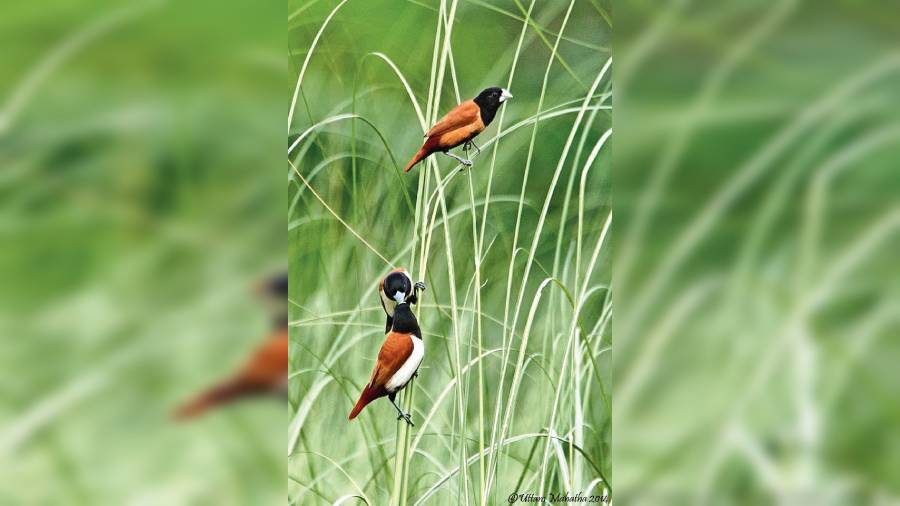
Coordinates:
353	214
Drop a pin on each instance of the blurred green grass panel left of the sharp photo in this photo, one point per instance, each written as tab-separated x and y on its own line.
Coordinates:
138	205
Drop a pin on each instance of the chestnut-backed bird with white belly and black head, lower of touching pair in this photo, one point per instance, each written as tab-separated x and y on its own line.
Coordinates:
398	361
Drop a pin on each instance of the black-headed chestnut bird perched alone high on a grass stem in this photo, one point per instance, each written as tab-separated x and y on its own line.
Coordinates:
461	125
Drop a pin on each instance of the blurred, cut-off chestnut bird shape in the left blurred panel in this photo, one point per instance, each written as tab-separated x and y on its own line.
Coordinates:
266	371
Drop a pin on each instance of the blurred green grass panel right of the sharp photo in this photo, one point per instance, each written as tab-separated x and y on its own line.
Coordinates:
756	194
